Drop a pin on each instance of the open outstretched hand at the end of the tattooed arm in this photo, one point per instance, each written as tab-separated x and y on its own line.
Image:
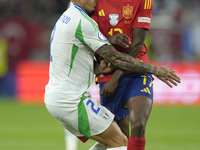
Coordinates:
168	76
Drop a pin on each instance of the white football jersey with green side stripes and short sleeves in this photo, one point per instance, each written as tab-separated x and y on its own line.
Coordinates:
74	40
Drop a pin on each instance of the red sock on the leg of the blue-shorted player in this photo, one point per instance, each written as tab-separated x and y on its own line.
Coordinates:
135	143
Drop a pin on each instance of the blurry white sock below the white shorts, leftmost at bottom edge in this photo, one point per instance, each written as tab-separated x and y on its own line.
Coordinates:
71	141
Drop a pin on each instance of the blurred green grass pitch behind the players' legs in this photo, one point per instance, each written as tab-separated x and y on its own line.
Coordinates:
31	127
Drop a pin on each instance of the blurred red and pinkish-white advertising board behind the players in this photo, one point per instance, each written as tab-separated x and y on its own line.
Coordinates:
31	78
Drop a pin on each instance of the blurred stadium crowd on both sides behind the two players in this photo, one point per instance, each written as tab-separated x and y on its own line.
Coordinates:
25	28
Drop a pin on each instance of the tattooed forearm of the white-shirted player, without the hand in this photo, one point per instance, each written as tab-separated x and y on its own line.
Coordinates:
124	61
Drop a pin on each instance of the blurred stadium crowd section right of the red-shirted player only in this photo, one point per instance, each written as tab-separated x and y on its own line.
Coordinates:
175	30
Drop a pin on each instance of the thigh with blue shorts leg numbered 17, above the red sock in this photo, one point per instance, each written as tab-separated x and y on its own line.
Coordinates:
139	93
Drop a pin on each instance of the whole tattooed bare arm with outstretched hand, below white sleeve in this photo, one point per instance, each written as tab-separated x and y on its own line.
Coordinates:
129	63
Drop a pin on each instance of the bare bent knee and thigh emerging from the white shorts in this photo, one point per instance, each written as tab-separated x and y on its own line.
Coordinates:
111	137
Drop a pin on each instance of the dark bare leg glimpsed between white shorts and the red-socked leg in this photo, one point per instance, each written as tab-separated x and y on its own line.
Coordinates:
124	125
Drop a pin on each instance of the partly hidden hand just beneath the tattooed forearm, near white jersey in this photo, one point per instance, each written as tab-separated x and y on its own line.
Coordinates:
106	67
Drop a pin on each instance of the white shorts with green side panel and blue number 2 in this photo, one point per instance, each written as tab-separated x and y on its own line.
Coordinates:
87	119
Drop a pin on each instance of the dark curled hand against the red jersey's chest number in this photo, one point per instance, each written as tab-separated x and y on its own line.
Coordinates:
119	39
